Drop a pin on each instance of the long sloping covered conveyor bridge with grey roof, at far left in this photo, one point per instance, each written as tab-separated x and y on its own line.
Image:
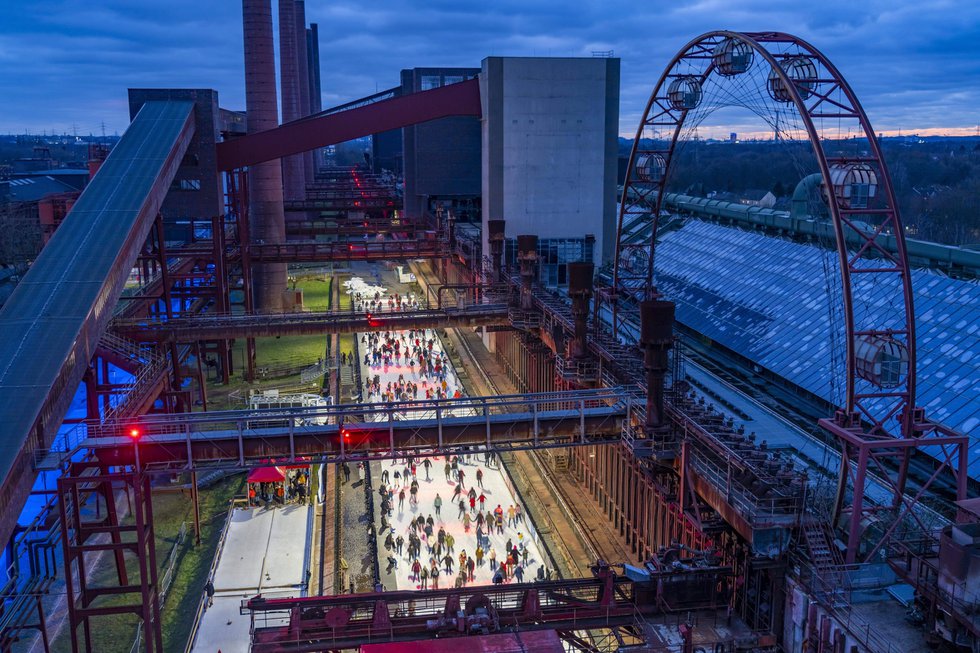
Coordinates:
50	326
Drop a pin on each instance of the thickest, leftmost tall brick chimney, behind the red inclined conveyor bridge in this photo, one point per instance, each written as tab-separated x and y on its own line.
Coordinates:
265	179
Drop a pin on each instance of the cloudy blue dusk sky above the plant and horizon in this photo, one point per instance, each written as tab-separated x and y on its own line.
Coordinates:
66	64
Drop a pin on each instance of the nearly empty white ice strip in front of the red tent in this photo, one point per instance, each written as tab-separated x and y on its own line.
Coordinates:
265	551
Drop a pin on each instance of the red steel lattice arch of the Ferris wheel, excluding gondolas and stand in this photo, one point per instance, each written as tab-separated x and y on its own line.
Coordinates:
823	100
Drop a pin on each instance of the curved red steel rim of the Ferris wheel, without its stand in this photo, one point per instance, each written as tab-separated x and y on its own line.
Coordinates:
881	411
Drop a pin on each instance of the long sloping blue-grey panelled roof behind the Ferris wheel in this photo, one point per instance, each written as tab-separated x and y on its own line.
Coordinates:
771	301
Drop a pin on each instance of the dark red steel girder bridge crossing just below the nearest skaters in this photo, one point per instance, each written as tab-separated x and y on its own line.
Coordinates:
606	601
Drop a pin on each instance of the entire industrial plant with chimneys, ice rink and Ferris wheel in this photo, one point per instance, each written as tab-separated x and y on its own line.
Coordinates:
252	397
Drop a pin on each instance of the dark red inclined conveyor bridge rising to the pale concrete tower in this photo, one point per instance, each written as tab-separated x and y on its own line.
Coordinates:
462	99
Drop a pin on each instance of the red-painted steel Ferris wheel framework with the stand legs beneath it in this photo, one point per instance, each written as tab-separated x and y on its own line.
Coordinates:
872	411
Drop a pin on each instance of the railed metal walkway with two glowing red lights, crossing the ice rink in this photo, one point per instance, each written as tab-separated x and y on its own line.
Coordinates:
239	439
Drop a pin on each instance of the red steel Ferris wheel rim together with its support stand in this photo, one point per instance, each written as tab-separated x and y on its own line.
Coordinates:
874	422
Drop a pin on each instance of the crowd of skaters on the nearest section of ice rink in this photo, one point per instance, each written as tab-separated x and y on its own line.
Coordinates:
427	544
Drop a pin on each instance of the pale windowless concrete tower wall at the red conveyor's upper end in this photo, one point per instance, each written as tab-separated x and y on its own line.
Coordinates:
549	156
